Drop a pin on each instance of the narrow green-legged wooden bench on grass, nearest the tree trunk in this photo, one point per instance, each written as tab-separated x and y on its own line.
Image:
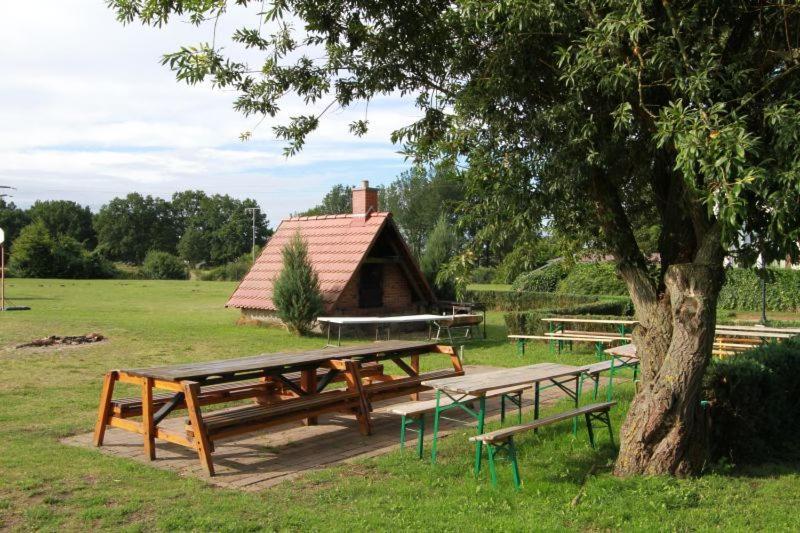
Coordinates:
502	440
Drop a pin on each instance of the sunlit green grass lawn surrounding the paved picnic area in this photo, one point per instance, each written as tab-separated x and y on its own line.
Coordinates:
47	394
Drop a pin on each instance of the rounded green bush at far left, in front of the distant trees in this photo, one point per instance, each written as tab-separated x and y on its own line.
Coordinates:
39	254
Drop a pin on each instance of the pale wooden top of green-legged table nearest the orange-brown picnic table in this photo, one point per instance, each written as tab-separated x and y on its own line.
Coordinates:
478	385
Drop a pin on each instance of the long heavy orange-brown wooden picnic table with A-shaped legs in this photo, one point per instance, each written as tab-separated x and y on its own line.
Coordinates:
304	400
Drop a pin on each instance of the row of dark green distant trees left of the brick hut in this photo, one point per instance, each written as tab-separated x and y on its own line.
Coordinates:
60	238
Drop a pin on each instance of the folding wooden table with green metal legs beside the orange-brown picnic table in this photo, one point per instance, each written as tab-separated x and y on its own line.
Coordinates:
464	390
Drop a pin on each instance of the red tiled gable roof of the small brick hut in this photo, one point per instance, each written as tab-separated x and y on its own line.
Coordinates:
337	245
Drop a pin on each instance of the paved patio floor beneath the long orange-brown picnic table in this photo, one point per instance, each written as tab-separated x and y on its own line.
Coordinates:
261	460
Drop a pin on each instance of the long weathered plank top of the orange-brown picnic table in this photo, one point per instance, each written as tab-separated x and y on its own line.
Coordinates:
276	361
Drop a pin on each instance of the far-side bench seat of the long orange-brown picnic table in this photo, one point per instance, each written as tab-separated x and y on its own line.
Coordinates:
238	390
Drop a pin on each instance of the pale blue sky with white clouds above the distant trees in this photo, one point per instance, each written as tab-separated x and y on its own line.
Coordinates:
87	113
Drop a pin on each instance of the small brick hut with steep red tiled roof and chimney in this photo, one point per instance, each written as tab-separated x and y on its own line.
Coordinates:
365	267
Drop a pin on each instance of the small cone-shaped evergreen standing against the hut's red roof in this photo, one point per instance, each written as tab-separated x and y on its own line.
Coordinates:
296	291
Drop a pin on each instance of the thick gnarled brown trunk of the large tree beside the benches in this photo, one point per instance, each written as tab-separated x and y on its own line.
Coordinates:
664	432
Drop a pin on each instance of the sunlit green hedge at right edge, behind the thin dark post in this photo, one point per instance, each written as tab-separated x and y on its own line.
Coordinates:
742	290
